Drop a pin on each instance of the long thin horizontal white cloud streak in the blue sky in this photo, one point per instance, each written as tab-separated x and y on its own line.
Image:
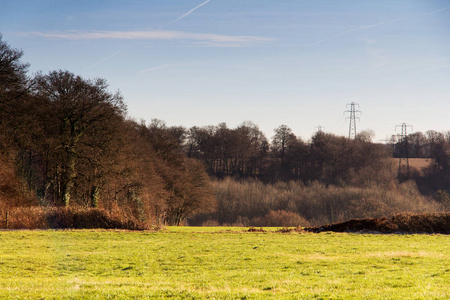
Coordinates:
148	35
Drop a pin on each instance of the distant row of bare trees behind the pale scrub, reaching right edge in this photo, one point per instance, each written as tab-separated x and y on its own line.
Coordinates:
245	152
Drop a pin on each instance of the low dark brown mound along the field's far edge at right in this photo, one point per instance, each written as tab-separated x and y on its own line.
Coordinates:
401	223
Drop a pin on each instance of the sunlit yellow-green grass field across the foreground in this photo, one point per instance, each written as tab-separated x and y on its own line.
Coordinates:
222	263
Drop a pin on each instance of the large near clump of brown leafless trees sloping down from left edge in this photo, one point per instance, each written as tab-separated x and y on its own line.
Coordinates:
71	141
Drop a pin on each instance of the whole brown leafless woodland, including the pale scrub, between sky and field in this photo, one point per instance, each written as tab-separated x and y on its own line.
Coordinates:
68	150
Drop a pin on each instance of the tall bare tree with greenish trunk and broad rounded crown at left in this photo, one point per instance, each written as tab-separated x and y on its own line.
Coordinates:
76	107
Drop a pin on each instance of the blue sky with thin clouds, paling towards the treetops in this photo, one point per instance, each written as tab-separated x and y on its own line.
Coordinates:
287	62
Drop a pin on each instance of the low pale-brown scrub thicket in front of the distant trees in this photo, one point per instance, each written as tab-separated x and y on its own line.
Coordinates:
248	203
